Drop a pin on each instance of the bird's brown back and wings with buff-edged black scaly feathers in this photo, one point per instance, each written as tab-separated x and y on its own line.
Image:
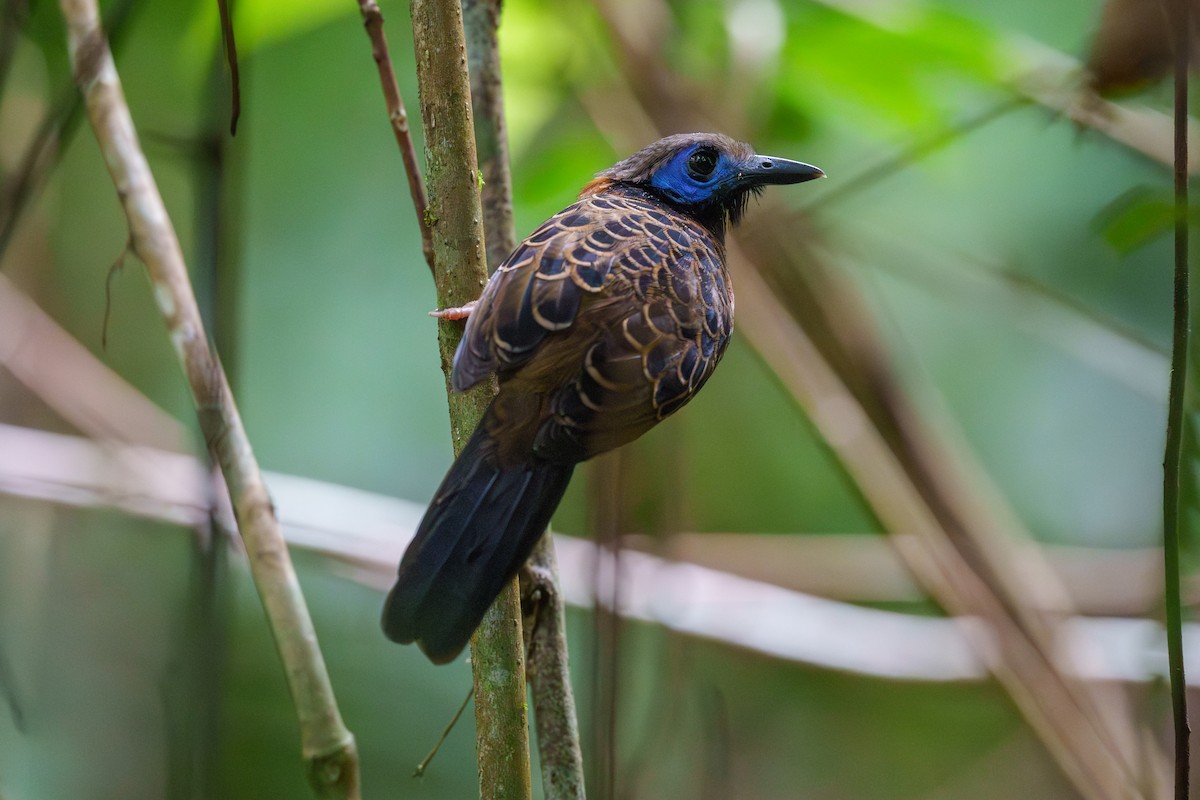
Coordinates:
627	306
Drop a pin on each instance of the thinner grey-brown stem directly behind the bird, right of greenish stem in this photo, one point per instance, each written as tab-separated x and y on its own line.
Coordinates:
549	673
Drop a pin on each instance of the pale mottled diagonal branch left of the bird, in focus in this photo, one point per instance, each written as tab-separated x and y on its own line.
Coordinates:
328	748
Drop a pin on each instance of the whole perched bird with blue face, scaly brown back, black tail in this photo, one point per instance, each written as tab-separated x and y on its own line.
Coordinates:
604	322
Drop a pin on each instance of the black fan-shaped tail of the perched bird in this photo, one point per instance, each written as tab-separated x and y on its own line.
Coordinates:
478	533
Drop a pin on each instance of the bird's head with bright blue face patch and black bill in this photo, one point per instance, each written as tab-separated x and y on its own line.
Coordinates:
706	175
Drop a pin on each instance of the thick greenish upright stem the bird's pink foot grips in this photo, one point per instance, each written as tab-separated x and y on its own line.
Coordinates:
457	219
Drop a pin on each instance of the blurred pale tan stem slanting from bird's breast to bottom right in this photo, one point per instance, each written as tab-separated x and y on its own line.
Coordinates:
1055	708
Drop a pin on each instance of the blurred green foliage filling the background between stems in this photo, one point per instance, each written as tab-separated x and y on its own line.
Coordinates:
338	378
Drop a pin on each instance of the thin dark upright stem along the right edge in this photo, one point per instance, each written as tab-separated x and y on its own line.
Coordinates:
1179	13
